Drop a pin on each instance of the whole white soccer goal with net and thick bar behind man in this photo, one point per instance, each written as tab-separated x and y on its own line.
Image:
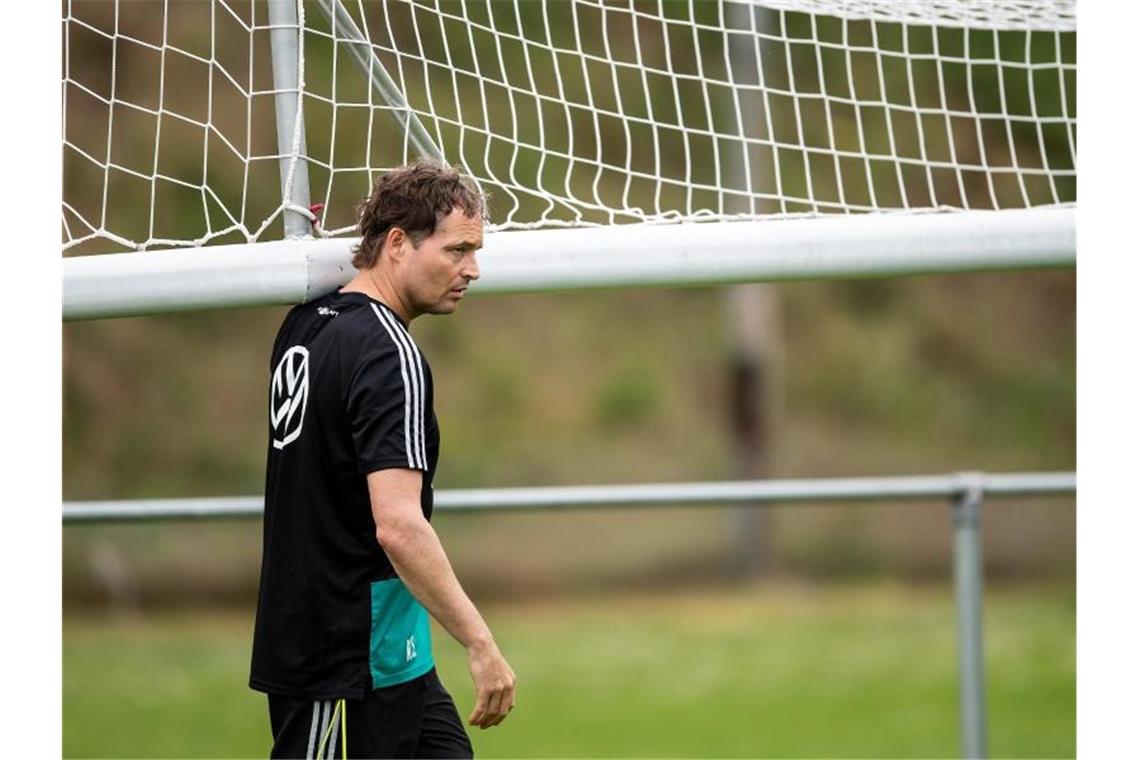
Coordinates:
215	152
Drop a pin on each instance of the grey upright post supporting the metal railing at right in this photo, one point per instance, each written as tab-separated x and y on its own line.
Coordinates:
967	513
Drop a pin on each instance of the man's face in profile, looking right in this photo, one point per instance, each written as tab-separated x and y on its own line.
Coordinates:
438	272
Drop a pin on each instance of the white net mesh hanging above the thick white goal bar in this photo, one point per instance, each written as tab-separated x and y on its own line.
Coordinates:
568	115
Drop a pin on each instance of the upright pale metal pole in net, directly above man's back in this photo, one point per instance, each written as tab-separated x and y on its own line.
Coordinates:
286	42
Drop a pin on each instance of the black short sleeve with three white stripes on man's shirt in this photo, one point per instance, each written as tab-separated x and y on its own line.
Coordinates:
386	408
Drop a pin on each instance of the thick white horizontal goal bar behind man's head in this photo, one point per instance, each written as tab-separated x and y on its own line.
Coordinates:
528	261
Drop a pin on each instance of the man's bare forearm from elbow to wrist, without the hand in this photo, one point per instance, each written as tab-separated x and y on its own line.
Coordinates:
419	559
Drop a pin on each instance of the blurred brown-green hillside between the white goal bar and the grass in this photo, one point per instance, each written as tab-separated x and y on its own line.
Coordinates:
906	377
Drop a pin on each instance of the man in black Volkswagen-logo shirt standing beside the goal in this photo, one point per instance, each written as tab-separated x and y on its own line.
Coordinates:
351	562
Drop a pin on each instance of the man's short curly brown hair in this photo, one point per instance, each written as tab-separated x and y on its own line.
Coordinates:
414	199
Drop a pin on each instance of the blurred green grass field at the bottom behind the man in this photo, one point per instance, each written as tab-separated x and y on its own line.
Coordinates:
840	671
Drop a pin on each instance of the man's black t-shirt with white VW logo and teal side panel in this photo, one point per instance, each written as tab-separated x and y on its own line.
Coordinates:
349	395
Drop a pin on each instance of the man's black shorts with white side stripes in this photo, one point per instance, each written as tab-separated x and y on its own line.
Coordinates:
417	720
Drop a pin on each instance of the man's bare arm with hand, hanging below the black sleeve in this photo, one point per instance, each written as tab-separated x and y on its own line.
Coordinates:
418	557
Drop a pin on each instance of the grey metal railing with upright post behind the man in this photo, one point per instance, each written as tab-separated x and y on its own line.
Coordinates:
966	493
